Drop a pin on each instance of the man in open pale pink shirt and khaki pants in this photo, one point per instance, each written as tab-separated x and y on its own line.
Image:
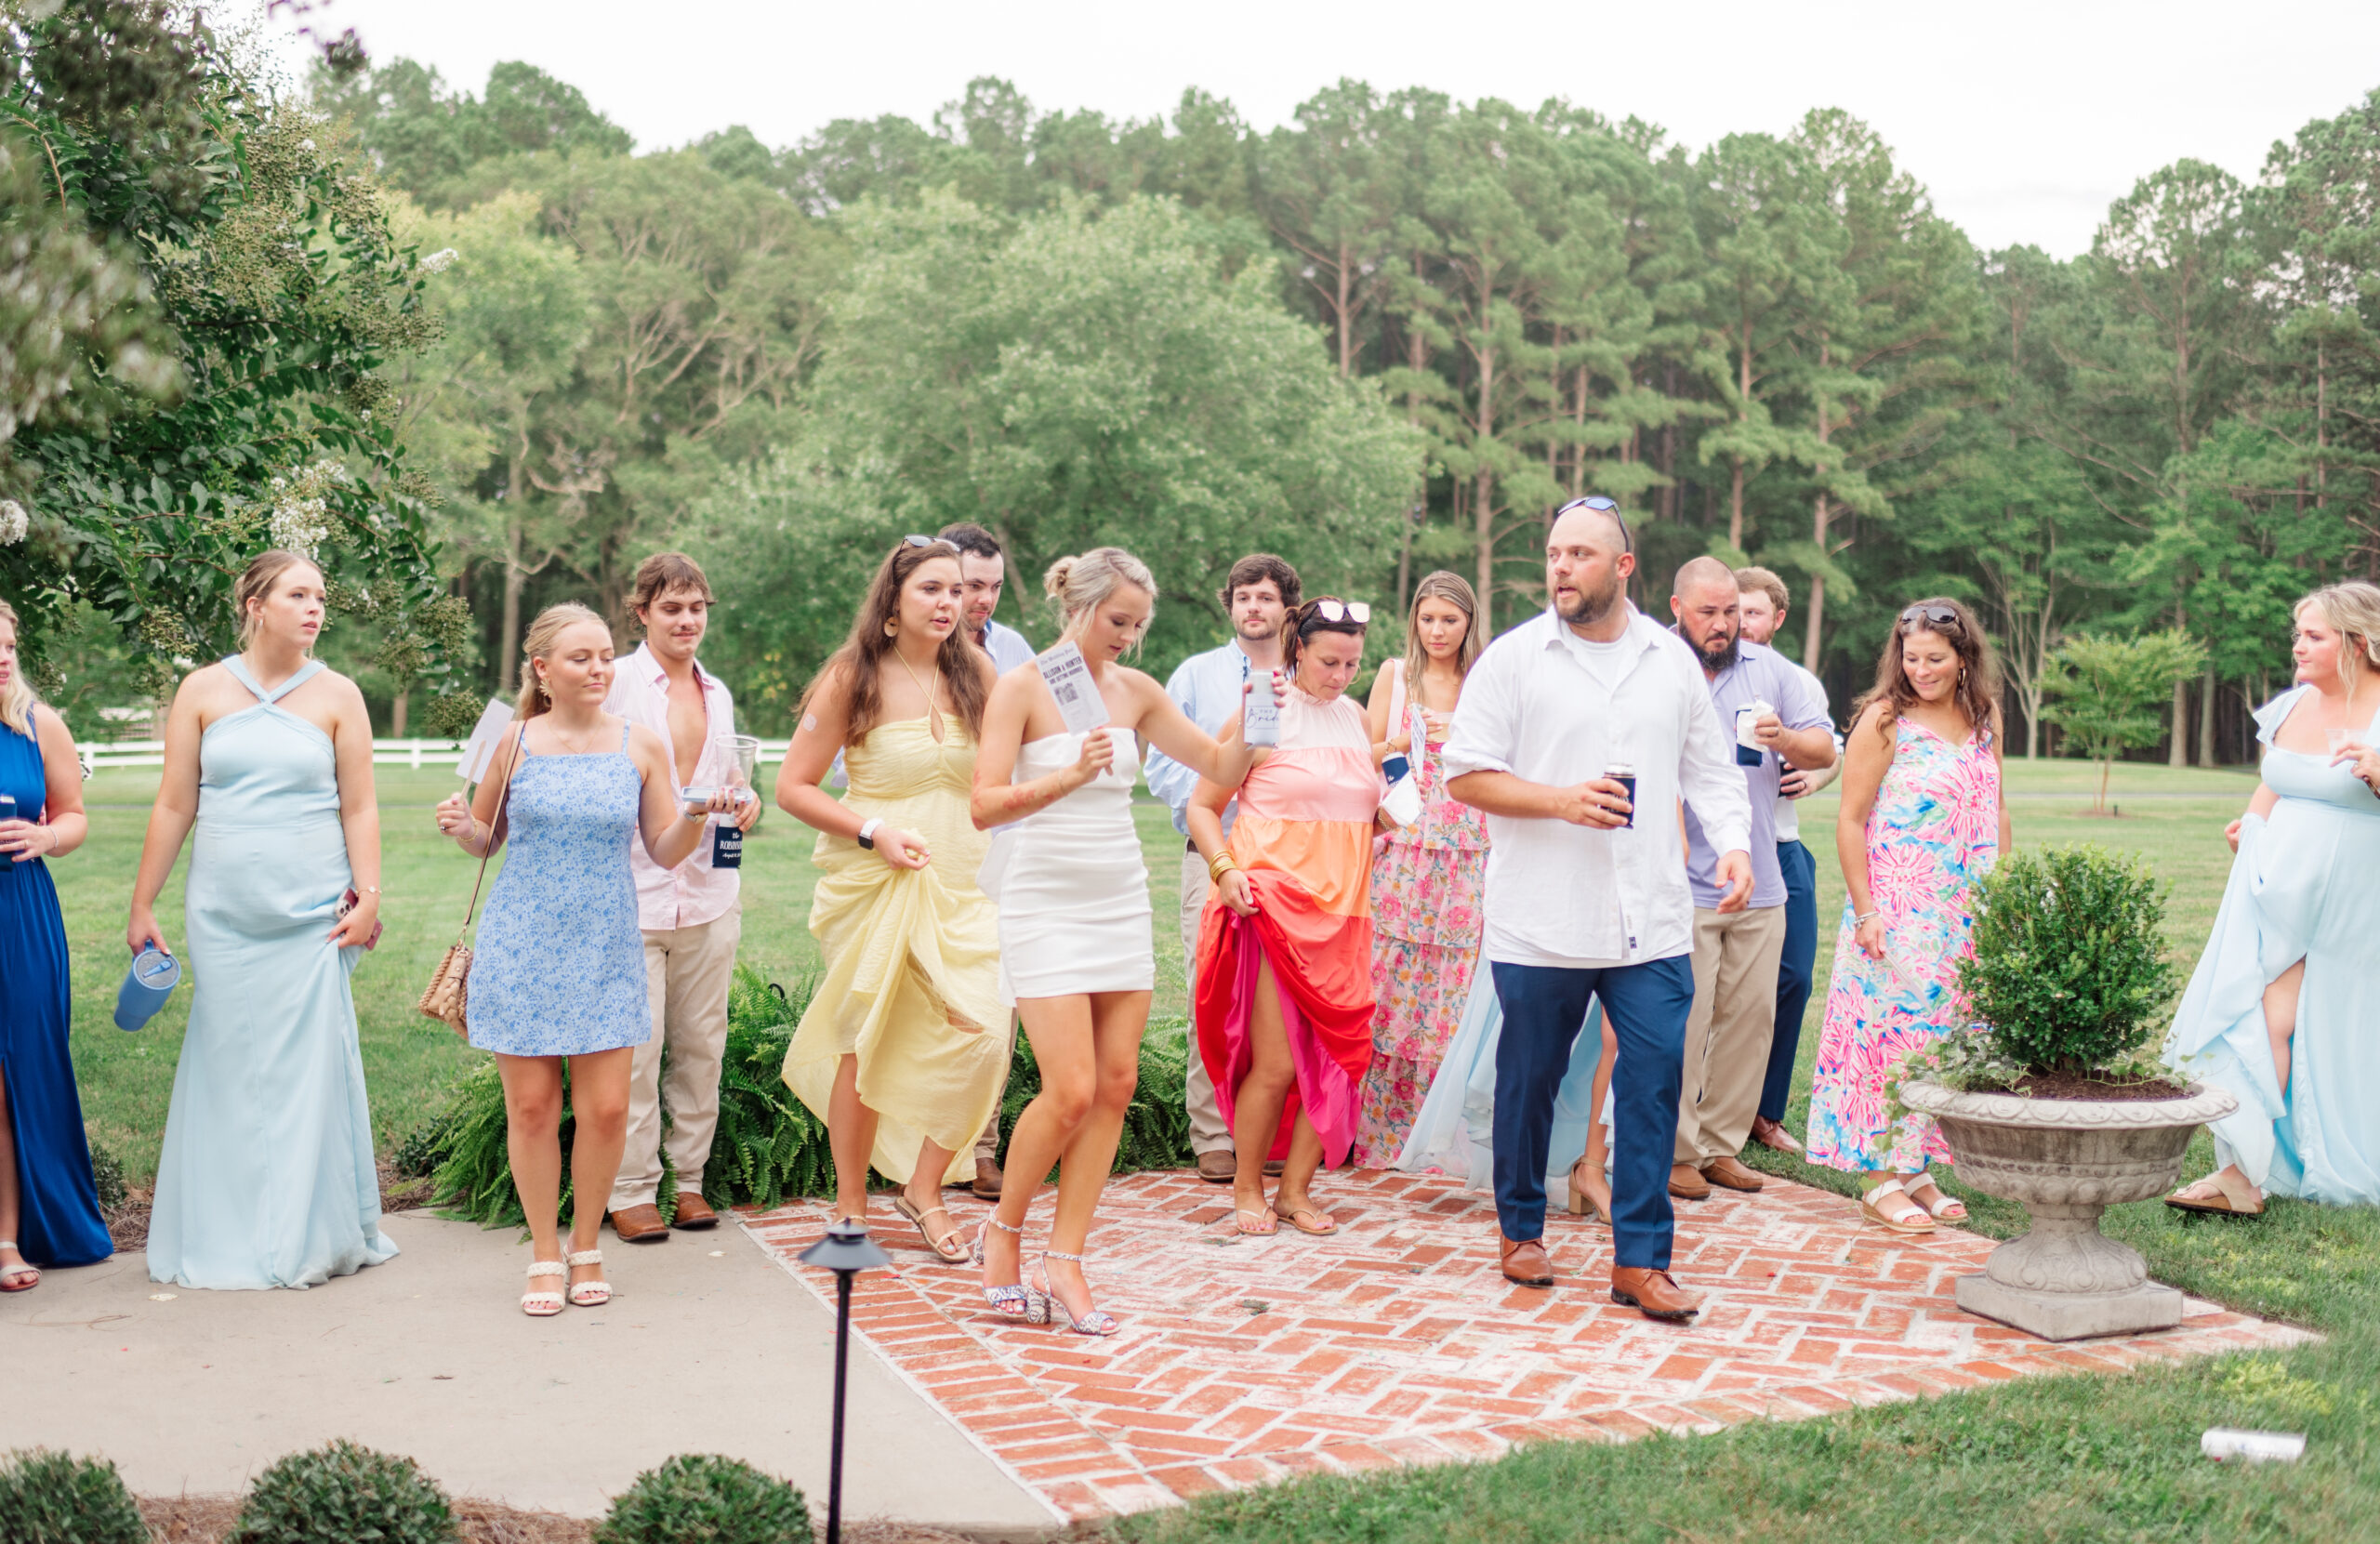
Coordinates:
689	915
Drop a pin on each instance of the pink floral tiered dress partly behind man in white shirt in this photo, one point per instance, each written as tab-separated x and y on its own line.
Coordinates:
1427	941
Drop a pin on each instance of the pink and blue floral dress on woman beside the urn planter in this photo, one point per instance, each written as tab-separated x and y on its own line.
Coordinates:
1934	831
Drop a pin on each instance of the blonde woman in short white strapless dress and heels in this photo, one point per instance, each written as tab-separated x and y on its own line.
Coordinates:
1075	917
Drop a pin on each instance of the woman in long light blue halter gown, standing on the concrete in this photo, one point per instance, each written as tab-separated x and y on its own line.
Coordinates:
268	1176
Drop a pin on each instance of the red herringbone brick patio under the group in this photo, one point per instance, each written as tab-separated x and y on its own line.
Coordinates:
1398	1343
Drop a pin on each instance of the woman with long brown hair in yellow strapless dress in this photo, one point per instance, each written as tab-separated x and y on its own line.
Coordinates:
903	1050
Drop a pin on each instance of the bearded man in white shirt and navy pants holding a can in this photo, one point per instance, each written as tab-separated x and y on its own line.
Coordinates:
1586	884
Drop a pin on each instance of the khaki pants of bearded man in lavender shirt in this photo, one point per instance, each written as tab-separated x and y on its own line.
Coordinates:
1727	1038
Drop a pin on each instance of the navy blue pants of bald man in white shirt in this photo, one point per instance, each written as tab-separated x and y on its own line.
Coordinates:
1543	1008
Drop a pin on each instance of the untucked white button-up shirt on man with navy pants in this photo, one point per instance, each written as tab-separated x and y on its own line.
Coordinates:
1558	710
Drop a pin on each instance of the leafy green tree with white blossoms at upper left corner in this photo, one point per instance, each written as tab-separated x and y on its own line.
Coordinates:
196	296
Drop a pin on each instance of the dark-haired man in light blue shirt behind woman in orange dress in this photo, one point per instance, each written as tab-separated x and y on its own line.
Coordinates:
1258	596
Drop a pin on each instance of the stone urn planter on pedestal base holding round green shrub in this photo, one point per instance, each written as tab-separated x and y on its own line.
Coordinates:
2069	1160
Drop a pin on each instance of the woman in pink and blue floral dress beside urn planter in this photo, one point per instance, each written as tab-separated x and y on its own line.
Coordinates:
1922	820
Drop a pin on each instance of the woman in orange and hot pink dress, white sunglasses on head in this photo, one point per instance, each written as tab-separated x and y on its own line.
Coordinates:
1284	962
